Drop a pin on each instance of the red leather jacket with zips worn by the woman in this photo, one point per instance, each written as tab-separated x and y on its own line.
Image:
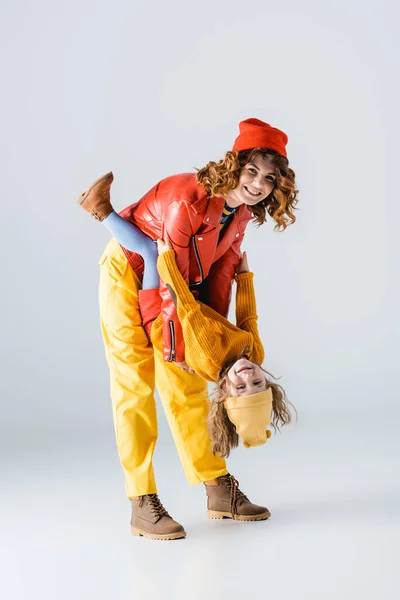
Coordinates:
178	208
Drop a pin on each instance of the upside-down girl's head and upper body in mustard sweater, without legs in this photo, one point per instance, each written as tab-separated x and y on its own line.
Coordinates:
220	352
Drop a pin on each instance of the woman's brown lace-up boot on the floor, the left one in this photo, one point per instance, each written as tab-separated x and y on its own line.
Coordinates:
150	519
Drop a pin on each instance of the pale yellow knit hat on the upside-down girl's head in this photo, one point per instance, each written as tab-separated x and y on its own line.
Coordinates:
251	416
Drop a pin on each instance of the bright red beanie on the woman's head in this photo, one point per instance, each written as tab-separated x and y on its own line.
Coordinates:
257	134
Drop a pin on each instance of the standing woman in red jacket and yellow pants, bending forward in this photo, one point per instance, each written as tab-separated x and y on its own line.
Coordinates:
204	216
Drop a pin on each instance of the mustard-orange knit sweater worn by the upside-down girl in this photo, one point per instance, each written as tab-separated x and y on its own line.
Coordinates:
210	339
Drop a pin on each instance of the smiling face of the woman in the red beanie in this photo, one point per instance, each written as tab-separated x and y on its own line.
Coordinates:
256	182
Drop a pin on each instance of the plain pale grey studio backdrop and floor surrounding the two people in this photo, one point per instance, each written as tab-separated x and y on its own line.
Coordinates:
151	89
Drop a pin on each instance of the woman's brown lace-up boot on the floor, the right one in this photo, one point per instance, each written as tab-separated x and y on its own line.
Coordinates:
226	500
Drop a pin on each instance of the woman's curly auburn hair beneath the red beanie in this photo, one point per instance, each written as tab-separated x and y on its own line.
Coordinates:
221	177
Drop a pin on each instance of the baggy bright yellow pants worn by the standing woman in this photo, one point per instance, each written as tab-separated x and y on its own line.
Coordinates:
136	367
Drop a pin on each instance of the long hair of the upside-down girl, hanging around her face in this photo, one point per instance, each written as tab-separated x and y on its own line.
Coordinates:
222	431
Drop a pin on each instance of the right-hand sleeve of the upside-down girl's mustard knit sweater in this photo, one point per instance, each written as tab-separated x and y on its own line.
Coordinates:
246	312
